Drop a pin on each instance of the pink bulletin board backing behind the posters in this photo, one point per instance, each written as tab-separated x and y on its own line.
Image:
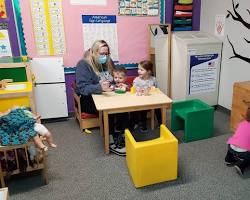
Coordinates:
132	32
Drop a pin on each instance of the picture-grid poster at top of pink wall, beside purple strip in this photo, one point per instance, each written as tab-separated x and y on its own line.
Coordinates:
139	7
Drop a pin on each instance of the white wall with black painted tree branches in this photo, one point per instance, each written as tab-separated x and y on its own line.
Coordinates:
232	70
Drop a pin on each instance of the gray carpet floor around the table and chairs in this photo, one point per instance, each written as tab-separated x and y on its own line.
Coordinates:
79	169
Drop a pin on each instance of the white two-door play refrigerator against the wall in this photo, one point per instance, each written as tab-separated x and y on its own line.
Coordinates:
50	89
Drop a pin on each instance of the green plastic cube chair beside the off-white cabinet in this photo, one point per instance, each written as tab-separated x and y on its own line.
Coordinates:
195	117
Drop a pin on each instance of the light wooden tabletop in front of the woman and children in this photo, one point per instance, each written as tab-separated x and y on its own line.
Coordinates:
112	100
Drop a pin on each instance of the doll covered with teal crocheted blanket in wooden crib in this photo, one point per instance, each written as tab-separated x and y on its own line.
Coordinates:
19	125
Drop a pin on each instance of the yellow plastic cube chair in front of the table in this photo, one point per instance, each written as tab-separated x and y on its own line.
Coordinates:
152	161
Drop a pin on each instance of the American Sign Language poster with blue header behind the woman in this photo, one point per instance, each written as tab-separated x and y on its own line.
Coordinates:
100	27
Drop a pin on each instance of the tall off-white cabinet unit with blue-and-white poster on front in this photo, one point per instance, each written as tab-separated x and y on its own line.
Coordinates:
195	66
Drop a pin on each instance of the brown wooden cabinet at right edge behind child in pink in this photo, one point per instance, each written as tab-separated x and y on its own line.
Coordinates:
241	100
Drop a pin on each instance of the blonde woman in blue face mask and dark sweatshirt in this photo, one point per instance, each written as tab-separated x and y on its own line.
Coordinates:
93	76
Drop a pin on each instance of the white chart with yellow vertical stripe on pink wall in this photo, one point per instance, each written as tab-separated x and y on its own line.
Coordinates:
48	26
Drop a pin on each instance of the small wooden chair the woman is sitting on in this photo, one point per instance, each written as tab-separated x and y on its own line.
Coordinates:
85	120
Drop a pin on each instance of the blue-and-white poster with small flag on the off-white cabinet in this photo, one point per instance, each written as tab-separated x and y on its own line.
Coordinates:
203	73
